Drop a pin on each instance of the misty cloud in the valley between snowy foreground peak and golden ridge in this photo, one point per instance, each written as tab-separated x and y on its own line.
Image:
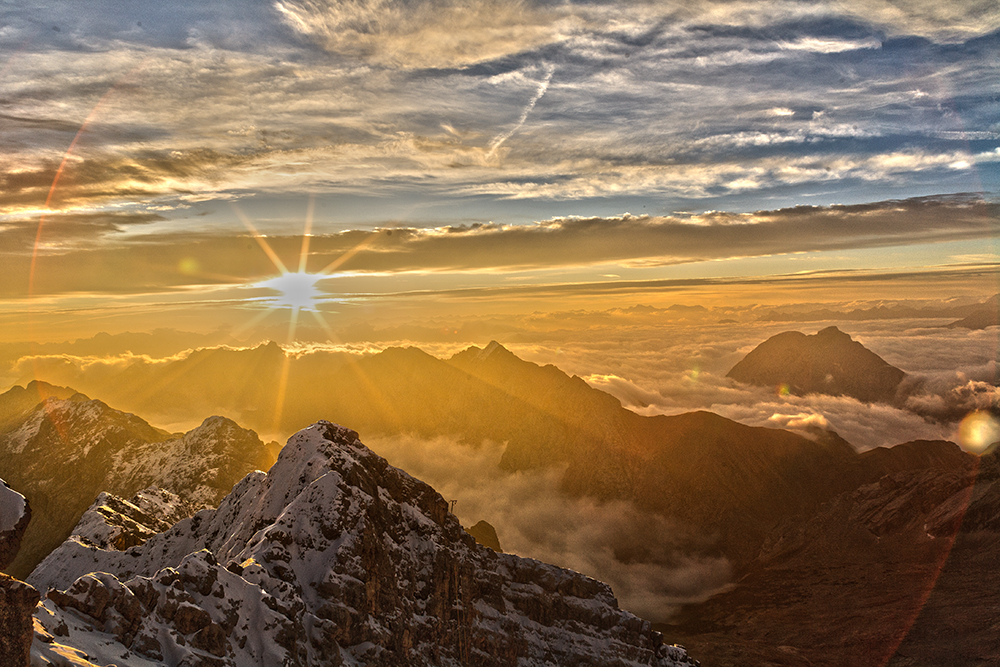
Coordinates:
653	565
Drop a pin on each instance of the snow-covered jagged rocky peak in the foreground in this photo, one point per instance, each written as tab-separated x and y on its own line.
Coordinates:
331	558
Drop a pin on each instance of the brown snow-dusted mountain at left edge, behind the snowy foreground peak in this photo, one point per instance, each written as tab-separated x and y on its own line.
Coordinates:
61	453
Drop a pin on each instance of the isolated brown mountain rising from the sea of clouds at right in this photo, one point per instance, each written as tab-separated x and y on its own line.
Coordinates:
827	362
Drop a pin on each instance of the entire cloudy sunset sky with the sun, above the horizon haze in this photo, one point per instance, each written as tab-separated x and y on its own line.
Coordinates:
162	163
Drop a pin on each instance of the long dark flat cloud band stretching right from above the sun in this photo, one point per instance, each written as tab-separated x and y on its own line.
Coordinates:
667	240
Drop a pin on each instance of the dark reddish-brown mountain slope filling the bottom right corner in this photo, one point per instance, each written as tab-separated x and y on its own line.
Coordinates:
898	570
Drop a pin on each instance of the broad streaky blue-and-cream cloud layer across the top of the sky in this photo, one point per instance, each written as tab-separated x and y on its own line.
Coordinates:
674	101
